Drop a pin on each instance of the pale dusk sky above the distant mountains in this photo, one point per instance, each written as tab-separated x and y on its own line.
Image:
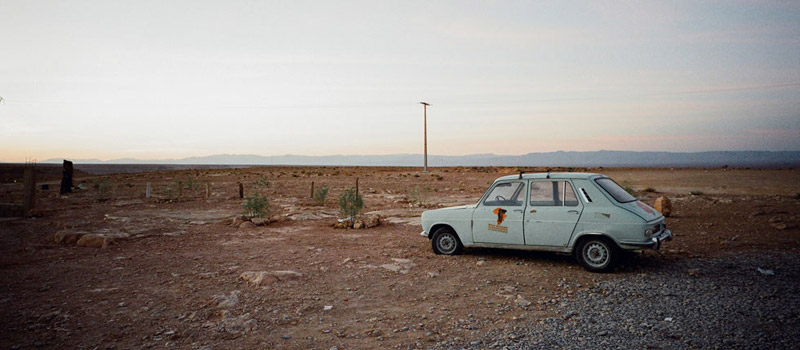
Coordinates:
171	79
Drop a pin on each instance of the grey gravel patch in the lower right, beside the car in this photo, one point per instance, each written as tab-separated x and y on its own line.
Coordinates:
724	302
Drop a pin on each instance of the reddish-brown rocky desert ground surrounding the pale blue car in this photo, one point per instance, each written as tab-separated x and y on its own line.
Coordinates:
168	273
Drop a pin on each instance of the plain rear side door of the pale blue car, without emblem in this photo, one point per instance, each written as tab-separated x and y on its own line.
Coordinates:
552	213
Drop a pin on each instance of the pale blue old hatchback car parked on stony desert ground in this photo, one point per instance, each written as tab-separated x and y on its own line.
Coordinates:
587	215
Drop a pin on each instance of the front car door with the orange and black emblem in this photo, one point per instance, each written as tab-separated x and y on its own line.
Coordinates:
498	218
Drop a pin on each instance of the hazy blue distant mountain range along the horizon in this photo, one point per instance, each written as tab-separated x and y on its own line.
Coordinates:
548	159
